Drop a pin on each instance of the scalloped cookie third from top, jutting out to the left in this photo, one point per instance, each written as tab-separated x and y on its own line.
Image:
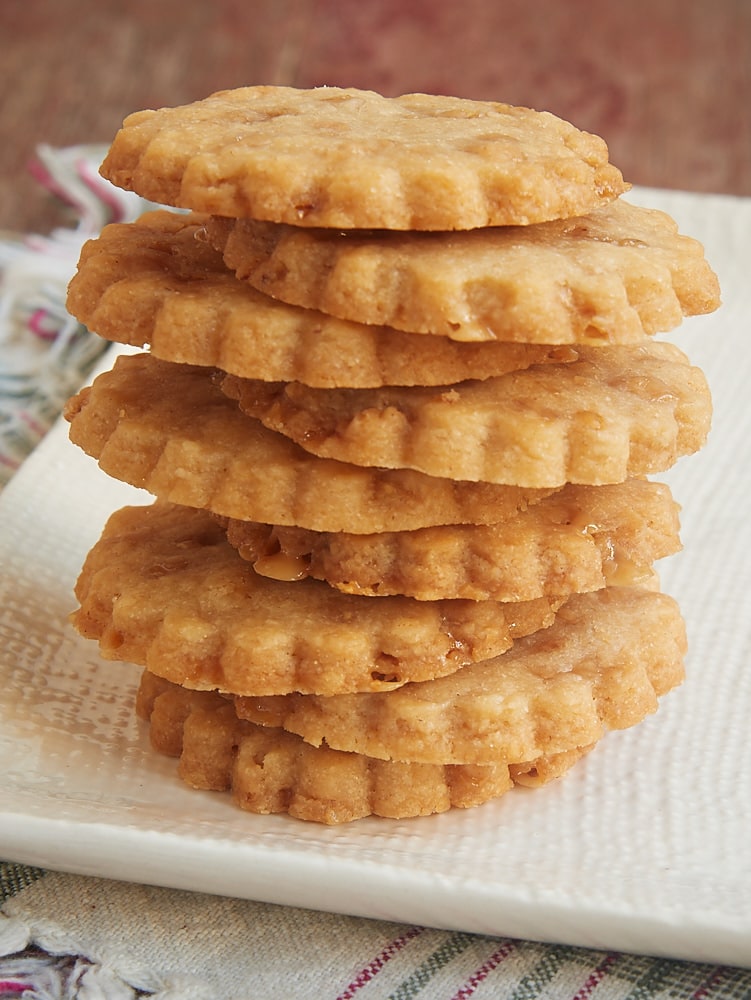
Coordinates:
152	282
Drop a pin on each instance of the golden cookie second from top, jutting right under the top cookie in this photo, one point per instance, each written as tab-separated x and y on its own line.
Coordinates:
617	275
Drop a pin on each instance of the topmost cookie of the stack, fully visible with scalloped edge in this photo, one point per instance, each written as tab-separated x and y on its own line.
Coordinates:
353	159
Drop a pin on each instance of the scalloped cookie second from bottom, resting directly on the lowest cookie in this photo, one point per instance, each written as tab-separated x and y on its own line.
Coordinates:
602	665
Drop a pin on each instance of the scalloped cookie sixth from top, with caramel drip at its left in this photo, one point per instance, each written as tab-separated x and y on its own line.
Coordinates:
578	539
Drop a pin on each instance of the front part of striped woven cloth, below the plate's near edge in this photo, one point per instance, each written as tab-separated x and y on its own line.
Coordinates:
252	950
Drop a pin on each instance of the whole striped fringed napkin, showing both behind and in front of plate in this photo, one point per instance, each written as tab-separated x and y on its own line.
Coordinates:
68	936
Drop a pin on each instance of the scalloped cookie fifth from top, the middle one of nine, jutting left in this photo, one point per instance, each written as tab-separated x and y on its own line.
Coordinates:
168	429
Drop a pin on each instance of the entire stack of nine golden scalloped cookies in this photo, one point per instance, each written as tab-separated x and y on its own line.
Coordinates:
399	408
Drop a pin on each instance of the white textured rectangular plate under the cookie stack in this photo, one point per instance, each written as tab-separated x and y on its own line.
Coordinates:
644	846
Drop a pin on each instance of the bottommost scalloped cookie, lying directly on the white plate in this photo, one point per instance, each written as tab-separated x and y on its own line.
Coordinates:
272	771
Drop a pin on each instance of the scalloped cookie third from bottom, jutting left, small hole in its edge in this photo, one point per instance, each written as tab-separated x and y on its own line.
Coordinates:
163	588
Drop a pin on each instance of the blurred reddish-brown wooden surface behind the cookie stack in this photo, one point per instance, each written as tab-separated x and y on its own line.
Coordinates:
666	82
